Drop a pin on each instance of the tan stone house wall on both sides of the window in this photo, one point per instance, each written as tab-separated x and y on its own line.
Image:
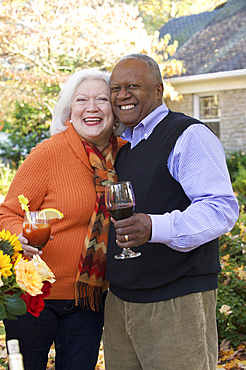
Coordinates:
233	117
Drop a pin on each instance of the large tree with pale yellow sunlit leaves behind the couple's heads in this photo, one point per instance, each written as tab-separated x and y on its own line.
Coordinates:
42	42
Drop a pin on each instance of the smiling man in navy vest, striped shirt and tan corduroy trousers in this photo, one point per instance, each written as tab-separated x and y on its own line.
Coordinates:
160	310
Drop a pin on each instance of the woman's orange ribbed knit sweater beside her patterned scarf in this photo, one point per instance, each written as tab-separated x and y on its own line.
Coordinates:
57	174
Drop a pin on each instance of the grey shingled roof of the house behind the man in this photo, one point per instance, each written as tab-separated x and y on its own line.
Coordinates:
219	45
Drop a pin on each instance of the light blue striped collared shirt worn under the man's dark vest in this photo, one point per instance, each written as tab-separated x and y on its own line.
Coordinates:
198	163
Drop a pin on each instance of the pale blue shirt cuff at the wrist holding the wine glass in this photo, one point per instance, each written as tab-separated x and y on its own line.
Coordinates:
160	229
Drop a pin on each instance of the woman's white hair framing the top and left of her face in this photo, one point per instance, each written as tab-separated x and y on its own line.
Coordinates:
62	109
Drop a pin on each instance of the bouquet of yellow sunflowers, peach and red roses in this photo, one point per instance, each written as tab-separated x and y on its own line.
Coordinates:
24	282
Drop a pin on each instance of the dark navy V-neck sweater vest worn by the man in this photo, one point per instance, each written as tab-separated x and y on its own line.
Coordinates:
160	273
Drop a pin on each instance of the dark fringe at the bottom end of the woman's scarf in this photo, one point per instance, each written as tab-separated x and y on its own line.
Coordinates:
89	296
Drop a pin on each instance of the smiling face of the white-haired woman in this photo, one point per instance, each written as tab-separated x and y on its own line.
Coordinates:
91	112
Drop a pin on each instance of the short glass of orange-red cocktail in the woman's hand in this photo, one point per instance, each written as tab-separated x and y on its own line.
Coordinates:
36	228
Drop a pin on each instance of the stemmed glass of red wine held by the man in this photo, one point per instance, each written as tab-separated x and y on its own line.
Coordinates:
120	203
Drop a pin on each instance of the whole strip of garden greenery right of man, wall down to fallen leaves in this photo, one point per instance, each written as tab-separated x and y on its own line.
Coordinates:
231	307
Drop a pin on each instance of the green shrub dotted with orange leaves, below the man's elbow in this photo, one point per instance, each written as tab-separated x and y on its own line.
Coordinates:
231	307
